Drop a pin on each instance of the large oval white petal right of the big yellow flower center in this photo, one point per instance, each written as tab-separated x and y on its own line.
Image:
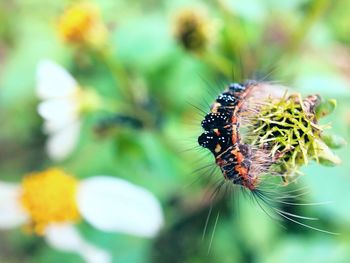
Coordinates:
112	204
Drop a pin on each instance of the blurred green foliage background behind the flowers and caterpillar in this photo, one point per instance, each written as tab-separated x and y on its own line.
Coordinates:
299	43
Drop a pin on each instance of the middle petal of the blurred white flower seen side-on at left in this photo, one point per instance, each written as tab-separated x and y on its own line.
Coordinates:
59	110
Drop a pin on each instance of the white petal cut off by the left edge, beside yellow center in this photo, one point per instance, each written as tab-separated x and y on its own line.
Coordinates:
11	212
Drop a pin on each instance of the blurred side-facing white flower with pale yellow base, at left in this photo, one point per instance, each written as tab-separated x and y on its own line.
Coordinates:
63	103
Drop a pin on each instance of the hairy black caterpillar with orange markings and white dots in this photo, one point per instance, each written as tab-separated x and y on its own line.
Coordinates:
239	162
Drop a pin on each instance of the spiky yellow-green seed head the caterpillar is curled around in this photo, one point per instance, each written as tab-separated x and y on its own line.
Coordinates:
289	128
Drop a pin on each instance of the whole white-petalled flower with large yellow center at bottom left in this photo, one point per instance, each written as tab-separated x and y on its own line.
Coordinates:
49	203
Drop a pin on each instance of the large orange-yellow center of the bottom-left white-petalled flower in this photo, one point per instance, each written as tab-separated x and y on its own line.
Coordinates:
49	197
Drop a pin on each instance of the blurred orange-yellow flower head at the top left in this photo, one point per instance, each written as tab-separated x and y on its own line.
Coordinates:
81	24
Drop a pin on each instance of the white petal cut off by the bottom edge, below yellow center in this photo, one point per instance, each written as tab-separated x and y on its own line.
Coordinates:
65	237
